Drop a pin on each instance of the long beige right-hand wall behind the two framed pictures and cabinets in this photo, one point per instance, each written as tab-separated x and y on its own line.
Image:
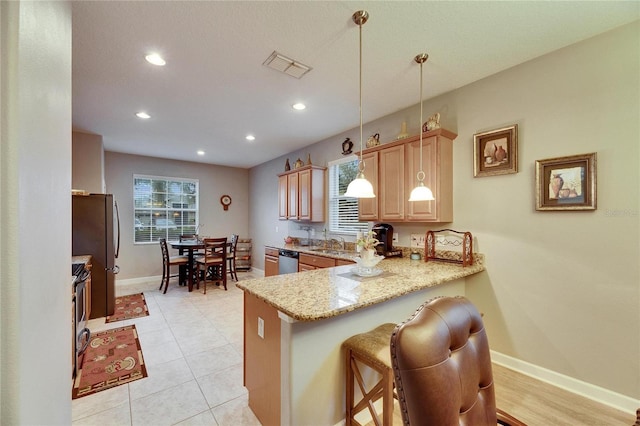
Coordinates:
563	288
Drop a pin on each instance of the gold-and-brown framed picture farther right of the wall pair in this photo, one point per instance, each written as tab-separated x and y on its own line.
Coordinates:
566	183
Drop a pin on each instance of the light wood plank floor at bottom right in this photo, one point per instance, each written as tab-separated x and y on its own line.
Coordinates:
537	403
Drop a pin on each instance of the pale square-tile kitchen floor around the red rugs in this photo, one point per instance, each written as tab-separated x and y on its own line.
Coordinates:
192	346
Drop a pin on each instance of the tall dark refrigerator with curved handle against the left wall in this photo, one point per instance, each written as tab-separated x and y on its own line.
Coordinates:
96	232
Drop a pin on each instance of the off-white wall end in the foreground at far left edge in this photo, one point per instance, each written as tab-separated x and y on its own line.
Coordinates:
35	213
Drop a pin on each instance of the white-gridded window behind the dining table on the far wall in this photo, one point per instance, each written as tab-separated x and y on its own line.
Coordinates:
163	208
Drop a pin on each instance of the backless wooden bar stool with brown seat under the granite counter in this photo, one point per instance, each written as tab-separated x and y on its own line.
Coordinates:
370	349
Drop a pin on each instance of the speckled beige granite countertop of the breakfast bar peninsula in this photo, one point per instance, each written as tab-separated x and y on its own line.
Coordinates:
325	293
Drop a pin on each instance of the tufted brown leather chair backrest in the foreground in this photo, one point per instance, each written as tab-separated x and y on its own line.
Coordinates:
442	366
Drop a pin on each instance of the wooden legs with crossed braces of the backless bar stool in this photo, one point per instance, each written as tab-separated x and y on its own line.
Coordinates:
382	389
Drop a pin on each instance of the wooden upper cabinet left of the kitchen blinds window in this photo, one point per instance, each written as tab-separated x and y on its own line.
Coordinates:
301	194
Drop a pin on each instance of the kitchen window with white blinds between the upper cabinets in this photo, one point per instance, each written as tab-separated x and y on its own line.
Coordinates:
343	211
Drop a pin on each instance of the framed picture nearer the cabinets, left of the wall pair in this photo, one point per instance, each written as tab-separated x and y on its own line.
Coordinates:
495	152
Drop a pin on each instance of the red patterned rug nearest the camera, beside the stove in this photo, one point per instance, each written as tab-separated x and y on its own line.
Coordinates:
113	358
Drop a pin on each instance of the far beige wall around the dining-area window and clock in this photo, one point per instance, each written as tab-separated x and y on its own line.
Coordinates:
144	260
